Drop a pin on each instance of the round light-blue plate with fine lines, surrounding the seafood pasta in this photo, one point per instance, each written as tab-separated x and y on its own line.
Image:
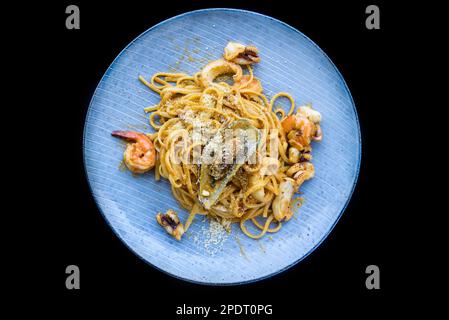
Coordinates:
290	62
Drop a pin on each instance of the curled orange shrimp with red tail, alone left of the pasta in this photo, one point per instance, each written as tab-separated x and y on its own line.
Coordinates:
140	155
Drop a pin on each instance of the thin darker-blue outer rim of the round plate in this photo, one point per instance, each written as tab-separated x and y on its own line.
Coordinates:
316	245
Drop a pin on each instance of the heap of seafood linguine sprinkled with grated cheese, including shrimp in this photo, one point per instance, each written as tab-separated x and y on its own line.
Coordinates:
227	150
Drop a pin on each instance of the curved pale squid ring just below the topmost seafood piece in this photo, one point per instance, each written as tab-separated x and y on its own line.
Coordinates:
219	67
